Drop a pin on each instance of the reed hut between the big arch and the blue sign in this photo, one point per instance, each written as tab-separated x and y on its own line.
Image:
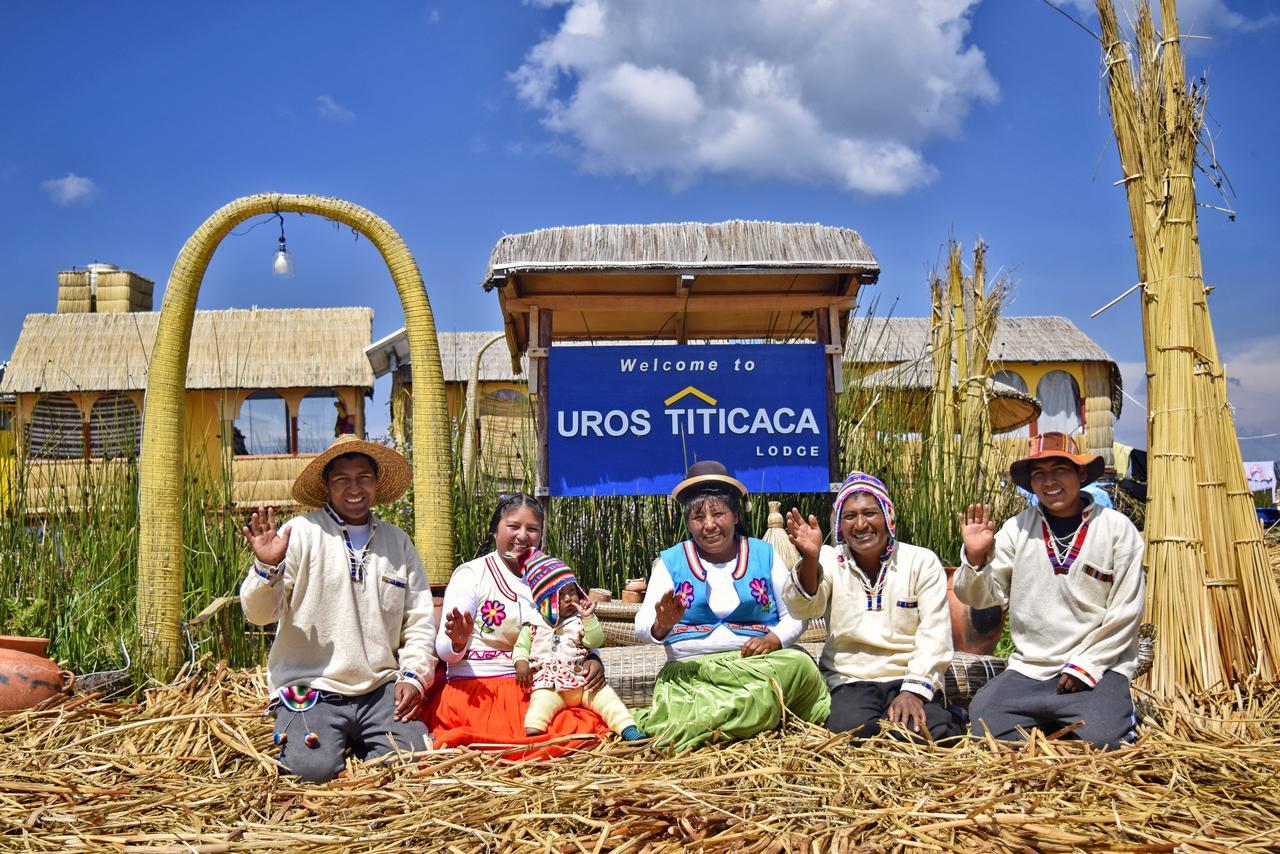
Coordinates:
504	432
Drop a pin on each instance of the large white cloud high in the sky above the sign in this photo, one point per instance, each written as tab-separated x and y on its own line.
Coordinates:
819	92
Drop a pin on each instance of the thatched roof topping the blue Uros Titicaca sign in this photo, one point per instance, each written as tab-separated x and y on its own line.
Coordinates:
744	245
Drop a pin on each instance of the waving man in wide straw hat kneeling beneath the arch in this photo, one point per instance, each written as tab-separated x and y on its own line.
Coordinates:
354	643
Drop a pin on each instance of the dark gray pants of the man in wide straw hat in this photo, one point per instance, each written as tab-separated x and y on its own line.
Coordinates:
364	723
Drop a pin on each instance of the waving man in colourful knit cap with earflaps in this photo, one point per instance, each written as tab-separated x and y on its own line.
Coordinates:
889	629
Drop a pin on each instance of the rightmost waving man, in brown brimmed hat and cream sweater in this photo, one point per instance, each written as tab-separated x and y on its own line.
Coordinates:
1071	574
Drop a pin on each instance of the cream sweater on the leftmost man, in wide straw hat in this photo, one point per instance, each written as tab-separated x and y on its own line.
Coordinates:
336	634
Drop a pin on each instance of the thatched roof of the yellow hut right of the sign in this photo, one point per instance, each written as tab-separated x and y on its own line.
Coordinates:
1017	340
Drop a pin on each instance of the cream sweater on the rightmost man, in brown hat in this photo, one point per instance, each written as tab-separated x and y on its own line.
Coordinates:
1085	622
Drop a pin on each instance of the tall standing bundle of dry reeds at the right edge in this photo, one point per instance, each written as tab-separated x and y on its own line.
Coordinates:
1212	596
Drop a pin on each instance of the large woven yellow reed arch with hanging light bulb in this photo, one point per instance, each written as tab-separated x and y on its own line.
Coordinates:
161	554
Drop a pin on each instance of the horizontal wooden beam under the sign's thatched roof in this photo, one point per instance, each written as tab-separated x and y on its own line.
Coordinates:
671	304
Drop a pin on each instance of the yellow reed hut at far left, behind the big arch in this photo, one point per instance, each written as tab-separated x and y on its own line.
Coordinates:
79	381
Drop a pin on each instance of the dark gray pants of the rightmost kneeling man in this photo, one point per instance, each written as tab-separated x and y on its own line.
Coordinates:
1013	701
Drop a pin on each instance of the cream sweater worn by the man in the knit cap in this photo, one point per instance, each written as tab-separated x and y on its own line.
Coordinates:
908	638
